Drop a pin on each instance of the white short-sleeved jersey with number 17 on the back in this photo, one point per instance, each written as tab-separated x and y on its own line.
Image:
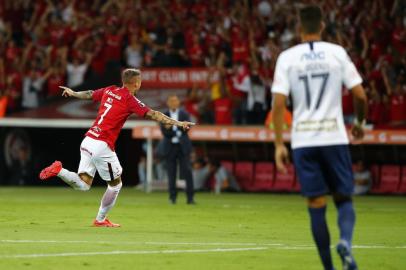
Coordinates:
314	73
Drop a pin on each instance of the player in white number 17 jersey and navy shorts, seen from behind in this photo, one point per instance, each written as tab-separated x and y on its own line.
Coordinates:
313	73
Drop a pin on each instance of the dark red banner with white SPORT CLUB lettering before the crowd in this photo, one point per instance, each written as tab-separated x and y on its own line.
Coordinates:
174	78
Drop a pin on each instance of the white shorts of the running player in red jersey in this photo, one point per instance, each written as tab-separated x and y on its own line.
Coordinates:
97	155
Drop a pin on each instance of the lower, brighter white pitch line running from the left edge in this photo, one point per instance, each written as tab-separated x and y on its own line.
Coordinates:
135	252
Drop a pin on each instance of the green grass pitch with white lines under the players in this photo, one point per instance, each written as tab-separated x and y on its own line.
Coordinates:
49	228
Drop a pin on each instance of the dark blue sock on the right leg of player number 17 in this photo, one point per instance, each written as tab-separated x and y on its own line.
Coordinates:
346	220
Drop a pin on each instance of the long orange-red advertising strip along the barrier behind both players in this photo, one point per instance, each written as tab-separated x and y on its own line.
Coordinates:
260	134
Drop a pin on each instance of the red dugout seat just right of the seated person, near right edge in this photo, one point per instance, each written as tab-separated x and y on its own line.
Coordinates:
389	179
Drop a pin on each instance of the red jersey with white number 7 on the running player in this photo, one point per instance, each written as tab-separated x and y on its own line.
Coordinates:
116	105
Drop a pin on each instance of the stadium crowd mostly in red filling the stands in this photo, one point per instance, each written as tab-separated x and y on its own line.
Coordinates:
46	43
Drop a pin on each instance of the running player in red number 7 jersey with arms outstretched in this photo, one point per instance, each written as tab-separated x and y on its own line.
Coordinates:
97	148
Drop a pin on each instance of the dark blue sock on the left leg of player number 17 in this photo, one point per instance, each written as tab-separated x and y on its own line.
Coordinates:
321	235
